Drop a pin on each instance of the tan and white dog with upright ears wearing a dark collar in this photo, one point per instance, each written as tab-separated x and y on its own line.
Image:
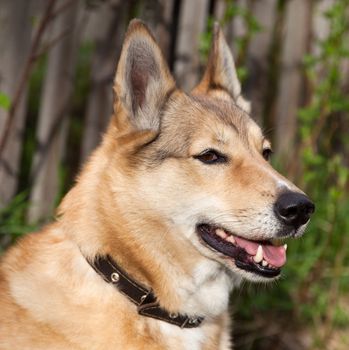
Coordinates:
175	208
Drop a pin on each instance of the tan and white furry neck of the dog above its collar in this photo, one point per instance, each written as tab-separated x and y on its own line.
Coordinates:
151	252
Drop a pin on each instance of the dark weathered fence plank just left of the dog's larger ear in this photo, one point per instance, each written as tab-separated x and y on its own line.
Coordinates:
112	17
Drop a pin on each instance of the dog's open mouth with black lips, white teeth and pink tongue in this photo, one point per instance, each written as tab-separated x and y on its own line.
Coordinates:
260	257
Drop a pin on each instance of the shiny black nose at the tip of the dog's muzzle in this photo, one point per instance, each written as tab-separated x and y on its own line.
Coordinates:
293	209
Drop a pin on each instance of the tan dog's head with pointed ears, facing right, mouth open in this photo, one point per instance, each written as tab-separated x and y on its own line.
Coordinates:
200	163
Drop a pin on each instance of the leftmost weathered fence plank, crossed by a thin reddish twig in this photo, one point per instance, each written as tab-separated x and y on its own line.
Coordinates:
14	51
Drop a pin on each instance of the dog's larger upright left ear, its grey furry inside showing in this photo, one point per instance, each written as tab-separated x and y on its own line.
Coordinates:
143	81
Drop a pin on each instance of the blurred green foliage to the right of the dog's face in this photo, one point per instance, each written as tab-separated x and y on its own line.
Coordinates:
316	277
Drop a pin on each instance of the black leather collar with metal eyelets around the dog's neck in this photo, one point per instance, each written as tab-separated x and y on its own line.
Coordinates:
146	301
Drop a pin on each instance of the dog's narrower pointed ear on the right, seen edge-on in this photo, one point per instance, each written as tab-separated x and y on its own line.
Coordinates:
220	72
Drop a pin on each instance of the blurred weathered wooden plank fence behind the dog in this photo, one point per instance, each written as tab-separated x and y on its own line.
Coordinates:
81	40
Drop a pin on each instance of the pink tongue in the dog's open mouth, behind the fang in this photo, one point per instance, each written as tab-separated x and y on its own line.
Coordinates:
275	256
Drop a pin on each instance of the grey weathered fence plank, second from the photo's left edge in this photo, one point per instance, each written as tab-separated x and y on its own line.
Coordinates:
55	102
